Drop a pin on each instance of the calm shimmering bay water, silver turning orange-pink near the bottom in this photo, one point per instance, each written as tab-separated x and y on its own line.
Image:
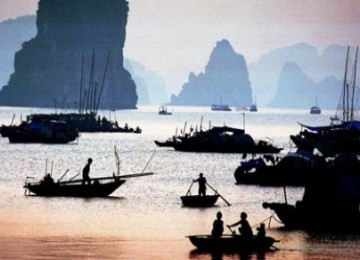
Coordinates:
144	218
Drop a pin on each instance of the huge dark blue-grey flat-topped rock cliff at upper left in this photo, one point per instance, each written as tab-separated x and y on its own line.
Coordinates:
49	66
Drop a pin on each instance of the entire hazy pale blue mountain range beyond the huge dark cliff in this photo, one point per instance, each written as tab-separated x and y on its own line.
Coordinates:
288	77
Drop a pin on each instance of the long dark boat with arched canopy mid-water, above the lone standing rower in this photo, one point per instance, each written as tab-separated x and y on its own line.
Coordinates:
223	140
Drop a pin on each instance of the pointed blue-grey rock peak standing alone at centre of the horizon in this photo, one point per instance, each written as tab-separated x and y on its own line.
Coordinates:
225	80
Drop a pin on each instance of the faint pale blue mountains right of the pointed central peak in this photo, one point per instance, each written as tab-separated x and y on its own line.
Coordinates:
293	76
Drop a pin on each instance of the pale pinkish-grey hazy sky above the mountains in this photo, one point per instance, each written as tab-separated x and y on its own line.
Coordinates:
176	37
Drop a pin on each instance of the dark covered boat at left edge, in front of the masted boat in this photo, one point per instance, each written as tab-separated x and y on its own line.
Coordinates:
40	128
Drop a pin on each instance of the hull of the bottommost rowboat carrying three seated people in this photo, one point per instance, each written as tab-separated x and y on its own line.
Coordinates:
232	243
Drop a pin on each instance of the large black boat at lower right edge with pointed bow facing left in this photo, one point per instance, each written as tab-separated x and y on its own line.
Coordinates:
330	202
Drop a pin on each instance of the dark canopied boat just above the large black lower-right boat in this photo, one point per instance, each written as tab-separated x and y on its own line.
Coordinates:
293	169
